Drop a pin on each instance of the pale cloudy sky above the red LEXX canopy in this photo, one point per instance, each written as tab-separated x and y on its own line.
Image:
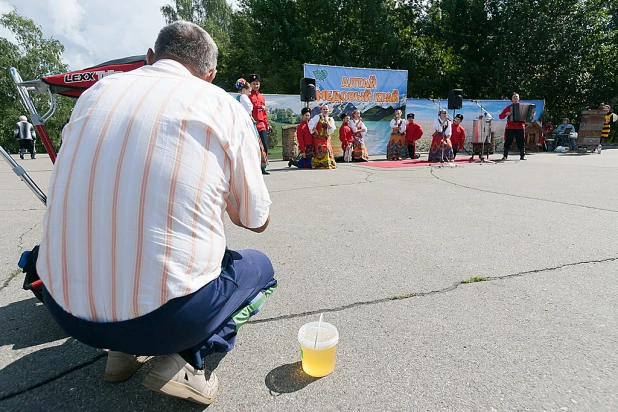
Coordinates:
91	31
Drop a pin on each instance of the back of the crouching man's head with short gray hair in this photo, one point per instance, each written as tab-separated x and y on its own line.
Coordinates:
189	44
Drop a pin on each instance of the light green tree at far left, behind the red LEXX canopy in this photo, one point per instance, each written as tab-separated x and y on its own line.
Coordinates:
34	56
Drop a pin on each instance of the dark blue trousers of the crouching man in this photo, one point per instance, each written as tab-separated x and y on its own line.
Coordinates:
195	325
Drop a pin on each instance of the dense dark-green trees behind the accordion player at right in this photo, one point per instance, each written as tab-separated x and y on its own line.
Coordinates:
557	50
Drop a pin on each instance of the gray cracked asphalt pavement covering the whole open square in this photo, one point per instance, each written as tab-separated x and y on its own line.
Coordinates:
382	253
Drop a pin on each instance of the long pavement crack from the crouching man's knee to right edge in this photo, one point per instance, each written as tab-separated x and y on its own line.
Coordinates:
423	294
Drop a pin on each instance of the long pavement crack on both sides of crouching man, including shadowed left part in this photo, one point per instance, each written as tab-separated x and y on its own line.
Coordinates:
335	309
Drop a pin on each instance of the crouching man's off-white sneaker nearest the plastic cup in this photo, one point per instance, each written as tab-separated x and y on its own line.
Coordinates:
172	375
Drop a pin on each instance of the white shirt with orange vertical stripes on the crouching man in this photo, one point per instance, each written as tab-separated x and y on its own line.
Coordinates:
137	196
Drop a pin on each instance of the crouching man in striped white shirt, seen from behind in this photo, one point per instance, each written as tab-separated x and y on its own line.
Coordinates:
133	256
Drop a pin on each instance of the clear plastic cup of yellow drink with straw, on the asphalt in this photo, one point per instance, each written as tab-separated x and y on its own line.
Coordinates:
318	358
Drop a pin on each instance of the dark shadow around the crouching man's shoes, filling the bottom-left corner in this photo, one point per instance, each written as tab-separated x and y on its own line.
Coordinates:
80	387
